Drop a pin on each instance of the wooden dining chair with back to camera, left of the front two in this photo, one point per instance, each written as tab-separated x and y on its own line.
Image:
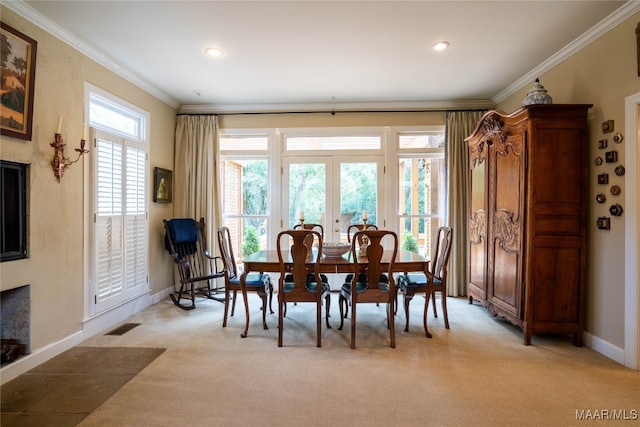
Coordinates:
300	279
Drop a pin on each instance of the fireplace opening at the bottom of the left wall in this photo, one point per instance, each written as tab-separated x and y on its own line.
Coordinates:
15	323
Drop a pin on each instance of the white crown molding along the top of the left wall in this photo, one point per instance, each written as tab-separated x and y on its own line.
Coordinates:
27	12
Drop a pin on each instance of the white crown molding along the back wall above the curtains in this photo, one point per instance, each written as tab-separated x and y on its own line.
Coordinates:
319	107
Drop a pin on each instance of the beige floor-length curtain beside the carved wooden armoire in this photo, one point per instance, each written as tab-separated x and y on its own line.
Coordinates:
459	124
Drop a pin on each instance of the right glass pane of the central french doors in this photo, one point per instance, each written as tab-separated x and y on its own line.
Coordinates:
358	193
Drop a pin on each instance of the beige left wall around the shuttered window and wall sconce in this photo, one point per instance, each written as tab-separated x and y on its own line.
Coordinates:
55	267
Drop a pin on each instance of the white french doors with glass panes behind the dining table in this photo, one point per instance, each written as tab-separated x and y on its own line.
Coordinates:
334	191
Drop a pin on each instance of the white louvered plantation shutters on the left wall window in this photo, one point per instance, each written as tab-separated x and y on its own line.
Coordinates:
121	226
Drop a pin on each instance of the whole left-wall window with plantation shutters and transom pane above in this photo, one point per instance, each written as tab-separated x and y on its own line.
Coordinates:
119	239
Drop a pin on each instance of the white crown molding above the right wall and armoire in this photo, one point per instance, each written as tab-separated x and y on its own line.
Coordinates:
624	12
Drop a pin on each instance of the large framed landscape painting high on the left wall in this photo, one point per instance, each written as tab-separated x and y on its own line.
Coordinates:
18	68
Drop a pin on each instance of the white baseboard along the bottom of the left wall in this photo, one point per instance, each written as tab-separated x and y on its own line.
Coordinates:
91	327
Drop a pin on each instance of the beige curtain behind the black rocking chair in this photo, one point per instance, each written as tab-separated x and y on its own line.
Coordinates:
196	171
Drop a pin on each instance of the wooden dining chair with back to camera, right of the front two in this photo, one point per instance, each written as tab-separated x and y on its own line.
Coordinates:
367	285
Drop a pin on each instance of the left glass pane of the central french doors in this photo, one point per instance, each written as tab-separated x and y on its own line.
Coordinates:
307	192
